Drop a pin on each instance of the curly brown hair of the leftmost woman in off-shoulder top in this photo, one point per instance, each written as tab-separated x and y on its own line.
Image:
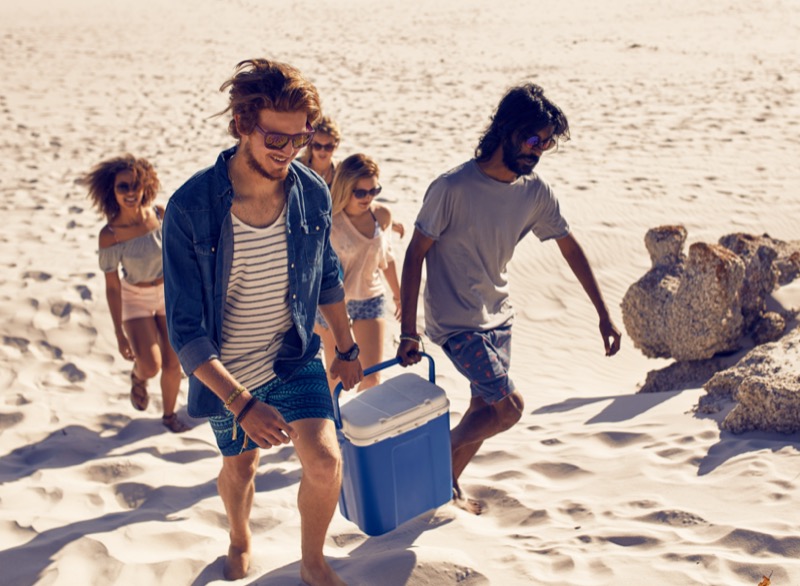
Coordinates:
100	182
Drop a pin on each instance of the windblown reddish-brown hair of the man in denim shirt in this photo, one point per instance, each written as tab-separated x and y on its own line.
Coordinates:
259	84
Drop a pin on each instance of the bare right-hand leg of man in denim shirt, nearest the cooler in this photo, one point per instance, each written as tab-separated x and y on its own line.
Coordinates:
317	497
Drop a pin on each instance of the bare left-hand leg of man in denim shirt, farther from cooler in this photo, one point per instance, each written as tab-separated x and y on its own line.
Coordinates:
237	487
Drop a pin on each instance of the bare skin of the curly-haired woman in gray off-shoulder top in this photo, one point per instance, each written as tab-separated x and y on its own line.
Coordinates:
144	340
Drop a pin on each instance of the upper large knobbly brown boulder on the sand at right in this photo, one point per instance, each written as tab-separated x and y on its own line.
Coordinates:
692	308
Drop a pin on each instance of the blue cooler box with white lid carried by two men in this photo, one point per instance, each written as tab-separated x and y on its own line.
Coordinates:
395	441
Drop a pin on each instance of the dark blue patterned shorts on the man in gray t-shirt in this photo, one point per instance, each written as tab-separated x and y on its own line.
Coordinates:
484	358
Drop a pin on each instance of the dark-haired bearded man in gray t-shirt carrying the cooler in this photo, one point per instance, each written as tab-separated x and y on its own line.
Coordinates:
471	220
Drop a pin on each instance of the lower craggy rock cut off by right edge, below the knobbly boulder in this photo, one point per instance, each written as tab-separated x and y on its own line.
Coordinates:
763	387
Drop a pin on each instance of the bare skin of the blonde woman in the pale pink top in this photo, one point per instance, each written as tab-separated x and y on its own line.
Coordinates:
369	333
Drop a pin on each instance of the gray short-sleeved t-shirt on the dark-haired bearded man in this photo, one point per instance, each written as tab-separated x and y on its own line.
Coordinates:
477	222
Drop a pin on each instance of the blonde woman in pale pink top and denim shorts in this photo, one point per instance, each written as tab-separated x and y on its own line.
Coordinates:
360	235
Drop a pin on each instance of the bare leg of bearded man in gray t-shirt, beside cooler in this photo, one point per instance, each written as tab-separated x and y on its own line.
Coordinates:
481	421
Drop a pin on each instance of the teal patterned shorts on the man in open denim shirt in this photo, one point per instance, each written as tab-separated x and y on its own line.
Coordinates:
305	396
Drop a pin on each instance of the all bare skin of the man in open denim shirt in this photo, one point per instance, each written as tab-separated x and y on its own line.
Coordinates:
258	201
